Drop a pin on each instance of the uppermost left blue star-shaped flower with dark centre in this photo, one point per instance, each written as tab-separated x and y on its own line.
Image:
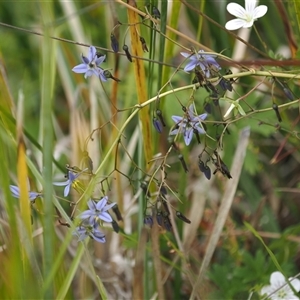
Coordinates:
90	65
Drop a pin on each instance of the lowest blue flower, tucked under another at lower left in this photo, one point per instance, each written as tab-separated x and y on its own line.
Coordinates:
90	228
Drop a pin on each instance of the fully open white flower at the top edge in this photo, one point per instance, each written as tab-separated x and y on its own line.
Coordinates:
245	16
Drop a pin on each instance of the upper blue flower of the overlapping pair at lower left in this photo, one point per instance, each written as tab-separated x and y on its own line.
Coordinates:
98	210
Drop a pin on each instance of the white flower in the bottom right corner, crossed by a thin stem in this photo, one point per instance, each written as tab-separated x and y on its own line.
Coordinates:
279	289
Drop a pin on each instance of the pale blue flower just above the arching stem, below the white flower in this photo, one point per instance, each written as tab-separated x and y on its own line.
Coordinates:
205	61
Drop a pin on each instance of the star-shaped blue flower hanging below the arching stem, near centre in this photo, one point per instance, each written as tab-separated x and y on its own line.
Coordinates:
188	124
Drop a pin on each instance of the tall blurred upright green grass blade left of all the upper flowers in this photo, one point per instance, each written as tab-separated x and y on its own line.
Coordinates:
48	64
